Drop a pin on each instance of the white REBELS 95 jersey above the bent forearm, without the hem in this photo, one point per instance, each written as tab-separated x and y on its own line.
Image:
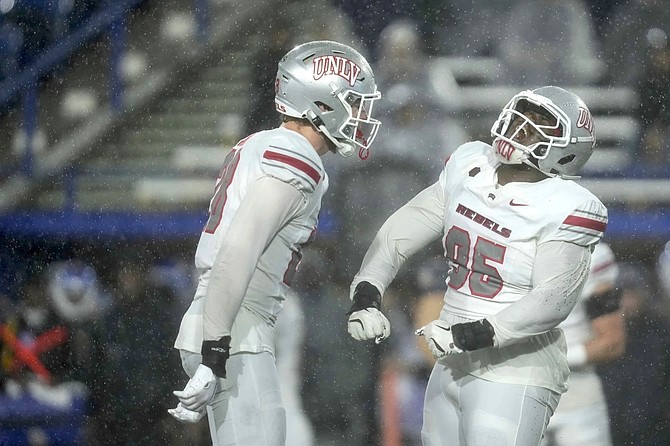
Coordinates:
492	232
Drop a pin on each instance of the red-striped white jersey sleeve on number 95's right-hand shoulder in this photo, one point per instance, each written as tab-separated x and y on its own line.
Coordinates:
584	225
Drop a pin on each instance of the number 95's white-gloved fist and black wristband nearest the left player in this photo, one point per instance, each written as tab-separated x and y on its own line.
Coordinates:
365	319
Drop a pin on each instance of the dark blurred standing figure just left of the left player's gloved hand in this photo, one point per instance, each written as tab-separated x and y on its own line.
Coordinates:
143	368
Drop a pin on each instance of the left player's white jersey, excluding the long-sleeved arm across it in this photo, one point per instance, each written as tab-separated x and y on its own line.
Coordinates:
289	157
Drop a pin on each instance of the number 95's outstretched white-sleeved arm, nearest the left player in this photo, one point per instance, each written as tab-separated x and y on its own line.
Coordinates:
404	233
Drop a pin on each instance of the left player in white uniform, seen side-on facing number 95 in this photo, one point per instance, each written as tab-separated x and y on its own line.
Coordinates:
265	208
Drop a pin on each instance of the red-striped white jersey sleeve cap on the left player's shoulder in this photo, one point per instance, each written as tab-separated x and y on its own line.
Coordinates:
293	162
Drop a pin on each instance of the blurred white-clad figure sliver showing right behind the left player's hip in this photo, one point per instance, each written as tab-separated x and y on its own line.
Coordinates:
290	335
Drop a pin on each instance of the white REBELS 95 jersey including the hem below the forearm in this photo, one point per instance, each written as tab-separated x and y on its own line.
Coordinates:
491	236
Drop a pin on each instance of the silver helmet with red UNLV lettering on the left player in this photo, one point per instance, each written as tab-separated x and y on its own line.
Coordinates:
332	86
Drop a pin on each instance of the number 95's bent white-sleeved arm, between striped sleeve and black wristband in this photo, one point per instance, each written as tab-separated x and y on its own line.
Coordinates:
560	271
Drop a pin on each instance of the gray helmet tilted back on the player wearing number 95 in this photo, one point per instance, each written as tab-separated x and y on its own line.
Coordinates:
567	142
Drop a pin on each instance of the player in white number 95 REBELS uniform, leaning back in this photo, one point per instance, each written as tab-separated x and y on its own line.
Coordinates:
518	235
